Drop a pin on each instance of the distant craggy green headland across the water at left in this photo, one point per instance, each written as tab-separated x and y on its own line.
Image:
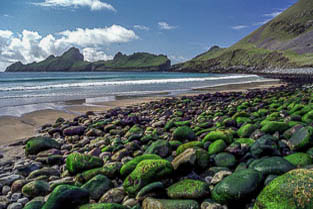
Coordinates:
72	60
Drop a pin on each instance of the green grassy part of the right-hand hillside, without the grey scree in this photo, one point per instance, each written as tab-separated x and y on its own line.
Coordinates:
253	50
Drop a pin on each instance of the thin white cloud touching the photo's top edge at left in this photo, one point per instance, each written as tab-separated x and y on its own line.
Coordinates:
93	4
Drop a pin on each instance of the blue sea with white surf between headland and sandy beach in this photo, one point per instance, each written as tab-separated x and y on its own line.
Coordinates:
38	90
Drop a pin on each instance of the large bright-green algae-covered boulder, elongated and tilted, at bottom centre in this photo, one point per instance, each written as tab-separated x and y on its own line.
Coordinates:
146	172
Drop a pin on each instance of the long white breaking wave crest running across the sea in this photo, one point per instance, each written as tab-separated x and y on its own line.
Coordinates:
129	82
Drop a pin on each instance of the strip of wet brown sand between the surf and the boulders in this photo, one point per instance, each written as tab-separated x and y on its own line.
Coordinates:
14	129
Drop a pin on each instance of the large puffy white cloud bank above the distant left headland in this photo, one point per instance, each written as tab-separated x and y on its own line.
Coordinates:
30	46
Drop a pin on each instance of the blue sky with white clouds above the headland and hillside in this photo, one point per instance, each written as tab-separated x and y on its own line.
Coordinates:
31	30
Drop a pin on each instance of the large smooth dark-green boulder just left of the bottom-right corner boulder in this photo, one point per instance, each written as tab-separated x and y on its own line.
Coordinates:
238	187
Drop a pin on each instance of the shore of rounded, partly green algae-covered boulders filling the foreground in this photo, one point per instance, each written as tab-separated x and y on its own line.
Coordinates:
224	150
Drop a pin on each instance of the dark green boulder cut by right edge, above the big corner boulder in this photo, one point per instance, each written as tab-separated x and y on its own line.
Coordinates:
302	139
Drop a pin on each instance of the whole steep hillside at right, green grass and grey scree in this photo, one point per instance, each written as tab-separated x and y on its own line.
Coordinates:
284	42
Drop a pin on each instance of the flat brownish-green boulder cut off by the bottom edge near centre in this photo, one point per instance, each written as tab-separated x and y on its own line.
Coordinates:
151	203
